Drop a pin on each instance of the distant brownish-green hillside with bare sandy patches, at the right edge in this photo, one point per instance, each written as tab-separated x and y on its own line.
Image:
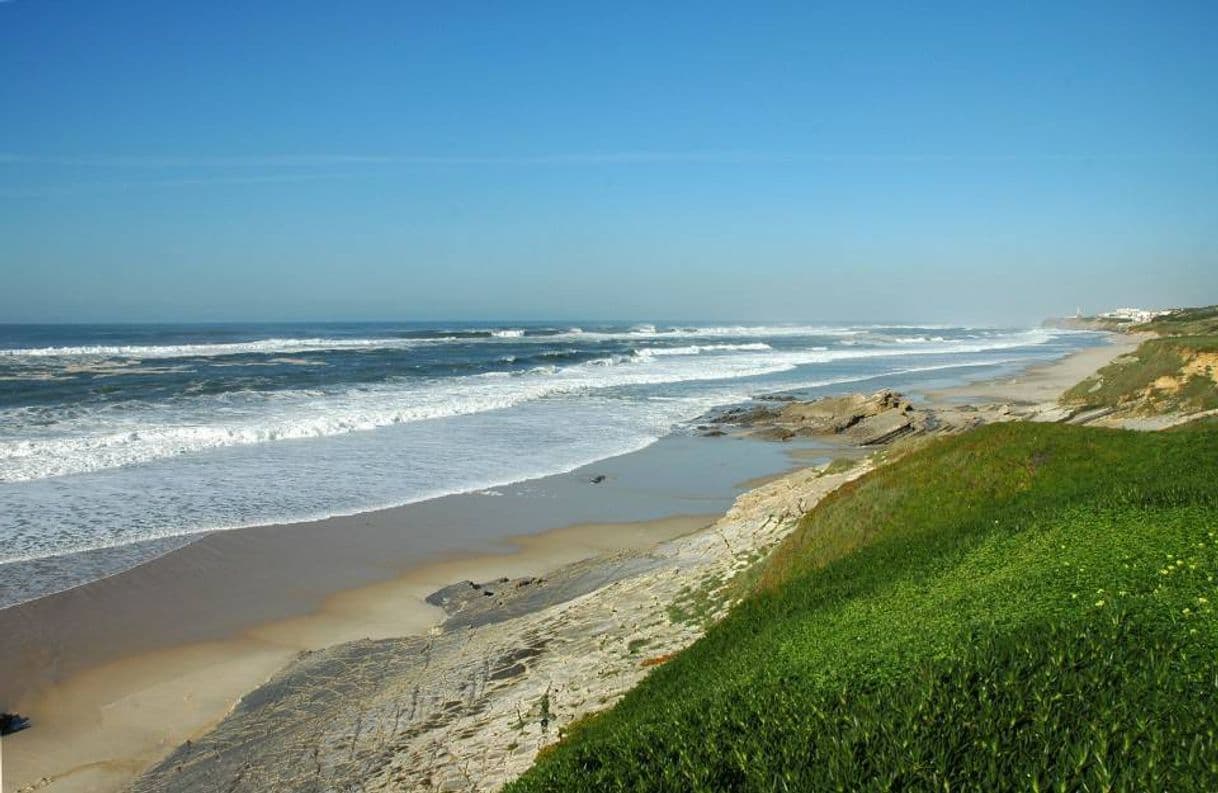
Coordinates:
1167	375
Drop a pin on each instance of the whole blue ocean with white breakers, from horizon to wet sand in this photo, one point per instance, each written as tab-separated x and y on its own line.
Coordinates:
119	443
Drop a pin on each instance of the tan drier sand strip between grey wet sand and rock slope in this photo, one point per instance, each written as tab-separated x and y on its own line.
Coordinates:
178	691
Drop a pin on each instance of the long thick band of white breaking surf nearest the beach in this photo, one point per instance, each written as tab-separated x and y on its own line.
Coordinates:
125	434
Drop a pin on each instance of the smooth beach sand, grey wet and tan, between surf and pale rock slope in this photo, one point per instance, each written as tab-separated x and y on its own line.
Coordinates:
119	672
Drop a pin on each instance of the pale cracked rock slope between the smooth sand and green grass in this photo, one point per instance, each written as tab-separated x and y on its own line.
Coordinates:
470	705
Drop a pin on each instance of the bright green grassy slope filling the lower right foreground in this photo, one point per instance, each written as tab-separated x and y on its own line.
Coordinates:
1020	607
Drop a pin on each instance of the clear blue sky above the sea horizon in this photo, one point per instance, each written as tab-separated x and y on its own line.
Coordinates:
290	160
